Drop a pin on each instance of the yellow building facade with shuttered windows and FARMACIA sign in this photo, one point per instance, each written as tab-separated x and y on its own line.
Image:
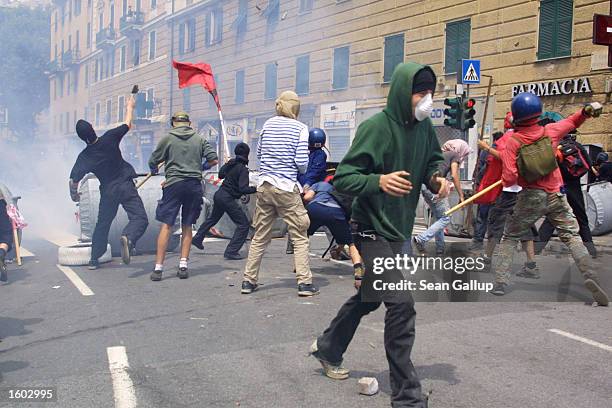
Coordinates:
338	55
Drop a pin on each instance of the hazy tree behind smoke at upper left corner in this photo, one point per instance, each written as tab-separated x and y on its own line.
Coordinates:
24	57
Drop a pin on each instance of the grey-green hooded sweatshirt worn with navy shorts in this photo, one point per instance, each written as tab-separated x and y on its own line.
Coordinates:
182	151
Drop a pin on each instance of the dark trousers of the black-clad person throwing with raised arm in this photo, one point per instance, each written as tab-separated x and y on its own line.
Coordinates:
126	195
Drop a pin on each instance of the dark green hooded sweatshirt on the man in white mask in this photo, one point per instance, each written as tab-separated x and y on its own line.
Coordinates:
390	141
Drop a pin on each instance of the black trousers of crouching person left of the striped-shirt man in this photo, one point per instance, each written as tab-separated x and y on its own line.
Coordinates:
223	203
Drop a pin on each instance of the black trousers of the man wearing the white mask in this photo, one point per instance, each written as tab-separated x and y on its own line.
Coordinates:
399	335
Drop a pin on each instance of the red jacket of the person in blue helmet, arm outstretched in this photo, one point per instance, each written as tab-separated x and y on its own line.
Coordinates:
529	134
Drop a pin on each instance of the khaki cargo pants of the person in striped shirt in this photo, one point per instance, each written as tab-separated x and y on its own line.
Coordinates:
272	203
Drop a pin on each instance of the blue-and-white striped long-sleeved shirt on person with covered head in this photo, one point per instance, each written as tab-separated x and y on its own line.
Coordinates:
282	152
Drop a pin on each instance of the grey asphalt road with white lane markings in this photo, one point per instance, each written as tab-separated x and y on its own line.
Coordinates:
199	343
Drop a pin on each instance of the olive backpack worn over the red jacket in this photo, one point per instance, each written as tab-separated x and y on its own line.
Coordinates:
535	160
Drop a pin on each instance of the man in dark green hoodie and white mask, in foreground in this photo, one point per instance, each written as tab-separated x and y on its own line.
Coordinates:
393	153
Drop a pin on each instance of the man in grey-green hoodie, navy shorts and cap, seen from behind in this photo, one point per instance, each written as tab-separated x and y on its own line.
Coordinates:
182	152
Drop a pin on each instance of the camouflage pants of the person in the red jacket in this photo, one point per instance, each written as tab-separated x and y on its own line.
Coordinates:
531	205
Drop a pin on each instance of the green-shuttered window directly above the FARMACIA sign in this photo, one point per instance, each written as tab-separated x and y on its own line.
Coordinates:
555	38
